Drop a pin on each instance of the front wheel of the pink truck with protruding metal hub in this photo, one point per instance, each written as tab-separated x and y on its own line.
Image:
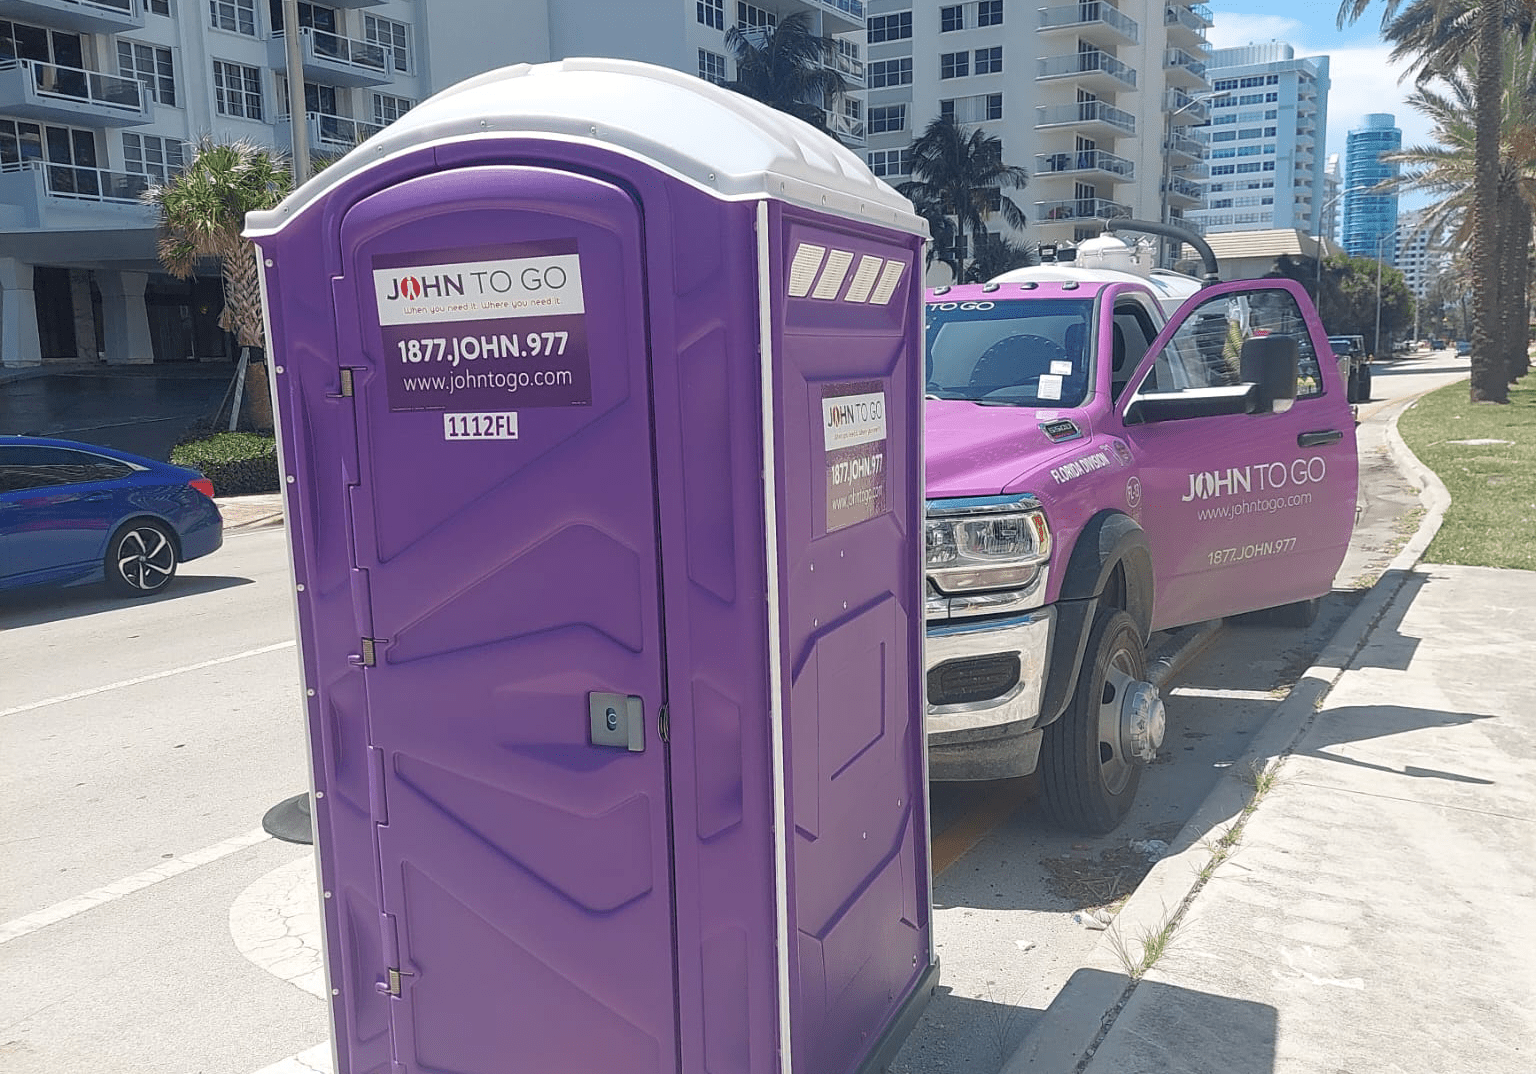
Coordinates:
1091	758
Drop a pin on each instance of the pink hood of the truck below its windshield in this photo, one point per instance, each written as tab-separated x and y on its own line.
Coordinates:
976	451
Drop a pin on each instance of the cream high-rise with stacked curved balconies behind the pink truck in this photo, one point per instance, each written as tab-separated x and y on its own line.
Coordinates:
1097	101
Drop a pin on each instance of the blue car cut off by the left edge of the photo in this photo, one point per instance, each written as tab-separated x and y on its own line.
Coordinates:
73	514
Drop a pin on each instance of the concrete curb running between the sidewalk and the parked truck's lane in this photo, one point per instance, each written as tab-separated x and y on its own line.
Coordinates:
1068	1033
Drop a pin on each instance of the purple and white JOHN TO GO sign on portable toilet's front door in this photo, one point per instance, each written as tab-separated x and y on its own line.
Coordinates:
491	330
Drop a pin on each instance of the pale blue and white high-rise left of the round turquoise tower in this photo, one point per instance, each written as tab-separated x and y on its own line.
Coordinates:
1266	134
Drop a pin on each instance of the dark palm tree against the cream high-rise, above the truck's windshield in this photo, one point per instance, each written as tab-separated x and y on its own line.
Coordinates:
959	179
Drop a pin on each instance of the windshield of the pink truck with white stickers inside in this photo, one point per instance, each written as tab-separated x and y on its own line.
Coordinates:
1010	353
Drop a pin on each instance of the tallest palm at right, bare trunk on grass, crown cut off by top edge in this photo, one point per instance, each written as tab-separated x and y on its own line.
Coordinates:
1443	35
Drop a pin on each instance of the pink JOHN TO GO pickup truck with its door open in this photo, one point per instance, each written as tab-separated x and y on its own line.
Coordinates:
1114	451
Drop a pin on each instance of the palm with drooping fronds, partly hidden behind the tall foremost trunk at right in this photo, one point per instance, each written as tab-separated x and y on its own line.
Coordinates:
1448	171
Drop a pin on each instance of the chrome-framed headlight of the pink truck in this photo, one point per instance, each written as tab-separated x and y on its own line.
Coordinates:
981	545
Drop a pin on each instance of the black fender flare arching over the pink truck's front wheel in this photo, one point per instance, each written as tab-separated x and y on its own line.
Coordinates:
1110	565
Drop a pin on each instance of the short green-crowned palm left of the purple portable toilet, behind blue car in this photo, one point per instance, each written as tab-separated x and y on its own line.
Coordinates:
202	214
